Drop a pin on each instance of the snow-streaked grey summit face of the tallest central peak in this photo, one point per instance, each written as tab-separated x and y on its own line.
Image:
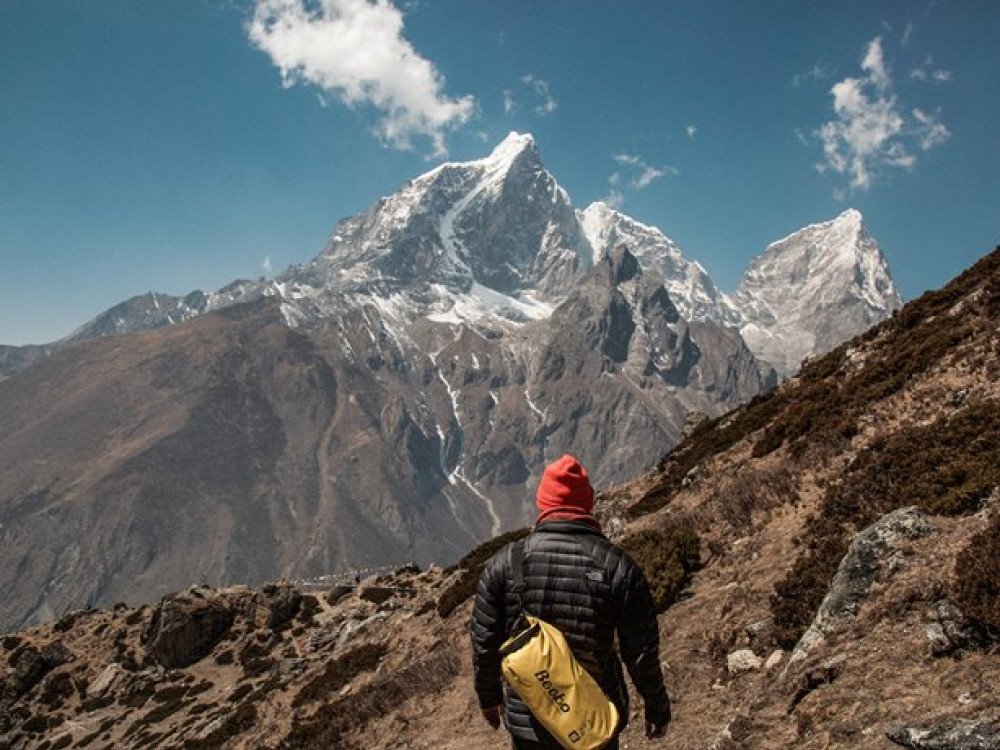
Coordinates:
502	223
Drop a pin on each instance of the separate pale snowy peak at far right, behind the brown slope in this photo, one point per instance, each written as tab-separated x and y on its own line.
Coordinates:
813	290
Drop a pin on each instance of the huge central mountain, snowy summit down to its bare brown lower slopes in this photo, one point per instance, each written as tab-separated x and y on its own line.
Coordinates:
393	400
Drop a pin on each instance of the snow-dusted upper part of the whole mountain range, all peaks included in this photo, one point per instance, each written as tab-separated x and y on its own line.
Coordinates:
407	251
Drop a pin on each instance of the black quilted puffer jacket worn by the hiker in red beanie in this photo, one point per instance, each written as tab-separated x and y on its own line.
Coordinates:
590	589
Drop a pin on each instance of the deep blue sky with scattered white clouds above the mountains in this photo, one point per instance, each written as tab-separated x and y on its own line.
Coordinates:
169	146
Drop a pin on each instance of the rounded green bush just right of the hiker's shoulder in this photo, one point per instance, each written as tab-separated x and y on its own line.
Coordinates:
668	558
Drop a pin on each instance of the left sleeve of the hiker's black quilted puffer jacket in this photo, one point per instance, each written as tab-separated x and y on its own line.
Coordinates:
487	627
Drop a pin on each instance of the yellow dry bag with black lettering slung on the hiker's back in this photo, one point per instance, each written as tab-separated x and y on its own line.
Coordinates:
541	668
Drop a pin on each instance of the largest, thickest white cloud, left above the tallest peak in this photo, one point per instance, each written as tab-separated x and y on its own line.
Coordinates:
355	50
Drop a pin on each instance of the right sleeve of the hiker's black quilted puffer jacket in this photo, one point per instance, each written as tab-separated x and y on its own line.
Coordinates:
639	640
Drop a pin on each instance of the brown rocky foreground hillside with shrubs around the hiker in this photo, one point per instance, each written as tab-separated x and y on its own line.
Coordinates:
845	596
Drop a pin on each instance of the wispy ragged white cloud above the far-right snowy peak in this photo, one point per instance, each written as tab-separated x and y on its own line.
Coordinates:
870	132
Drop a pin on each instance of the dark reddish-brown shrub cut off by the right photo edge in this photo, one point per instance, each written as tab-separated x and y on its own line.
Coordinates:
976	585
